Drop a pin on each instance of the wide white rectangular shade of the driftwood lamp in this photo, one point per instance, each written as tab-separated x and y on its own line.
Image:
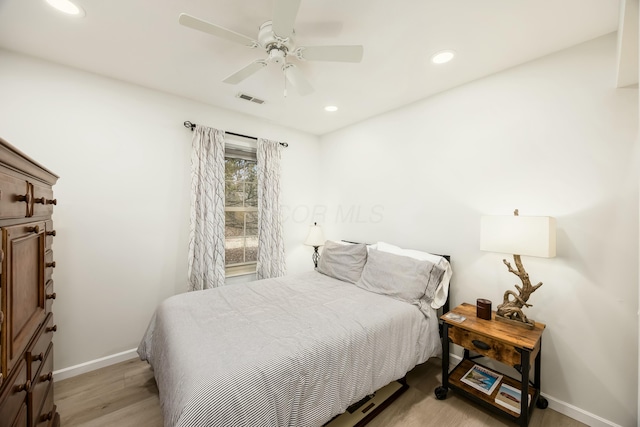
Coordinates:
519	235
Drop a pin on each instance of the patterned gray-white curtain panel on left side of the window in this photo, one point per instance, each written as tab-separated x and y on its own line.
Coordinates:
206	231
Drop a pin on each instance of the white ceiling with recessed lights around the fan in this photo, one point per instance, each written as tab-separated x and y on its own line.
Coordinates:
141	42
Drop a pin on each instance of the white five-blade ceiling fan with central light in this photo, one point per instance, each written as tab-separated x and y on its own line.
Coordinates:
277	38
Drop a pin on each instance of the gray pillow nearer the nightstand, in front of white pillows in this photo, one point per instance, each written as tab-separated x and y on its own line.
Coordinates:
401	277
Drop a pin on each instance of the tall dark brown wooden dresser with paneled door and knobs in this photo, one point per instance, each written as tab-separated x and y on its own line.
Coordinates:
26	291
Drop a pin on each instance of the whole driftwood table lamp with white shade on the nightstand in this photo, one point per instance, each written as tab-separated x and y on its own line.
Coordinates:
518	235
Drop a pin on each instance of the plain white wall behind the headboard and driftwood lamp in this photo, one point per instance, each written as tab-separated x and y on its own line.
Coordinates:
552	137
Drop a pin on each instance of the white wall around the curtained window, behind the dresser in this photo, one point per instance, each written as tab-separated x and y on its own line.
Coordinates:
123	157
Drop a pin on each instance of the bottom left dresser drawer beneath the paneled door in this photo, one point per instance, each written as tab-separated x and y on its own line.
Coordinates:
13	402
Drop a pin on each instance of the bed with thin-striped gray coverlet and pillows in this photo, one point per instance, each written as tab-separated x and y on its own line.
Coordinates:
295	350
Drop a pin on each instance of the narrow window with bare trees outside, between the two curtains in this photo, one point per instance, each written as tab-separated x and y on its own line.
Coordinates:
241	211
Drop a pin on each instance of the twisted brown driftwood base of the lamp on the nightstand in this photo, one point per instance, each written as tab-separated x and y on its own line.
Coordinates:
512	303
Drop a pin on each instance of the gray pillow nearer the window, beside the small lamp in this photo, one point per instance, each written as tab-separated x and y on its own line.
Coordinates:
343	262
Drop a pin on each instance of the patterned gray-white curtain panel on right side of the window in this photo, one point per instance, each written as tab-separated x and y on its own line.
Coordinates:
271	262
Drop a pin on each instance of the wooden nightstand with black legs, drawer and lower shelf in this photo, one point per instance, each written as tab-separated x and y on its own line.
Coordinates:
515	346
